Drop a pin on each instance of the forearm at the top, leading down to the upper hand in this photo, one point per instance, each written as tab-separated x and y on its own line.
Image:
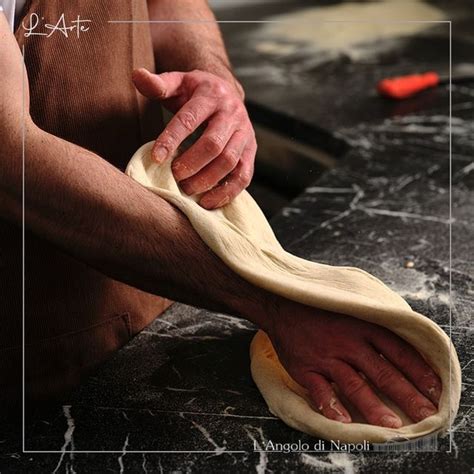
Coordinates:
196	44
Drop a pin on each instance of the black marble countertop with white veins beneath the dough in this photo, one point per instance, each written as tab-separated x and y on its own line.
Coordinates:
184	383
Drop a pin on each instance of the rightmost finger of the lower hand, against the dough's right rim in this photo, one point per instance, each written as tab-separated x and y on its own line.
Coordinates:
410	363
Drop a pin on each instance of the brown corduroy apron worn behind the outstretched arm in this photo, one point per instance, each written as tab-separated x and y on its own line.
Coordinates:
81	91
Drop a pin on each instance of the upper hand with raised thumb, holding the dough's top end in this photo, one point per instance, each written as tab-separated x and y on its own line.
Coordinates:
220	163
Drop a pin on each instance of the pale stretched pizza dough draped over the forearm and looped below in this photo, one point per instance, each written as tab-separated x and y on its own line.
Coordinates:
241	236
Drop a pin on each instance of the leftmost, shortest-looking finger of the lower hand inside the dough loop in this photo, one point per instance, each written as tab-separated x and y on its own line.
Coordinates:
324	397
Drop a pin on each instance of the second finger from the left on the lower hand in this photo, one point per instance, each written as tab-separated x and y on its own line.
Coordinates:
357	391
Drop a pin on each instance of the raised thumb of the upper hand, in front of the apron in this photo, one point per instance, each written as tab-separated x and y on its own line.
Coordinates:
157	86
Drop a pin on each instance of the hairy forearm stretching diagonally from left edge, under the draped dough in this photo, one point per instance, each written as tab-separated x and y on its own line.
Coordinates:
96	213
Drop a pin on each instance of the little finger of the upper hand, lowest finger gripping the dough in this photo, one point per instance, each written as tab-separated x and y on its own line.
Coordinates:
234	184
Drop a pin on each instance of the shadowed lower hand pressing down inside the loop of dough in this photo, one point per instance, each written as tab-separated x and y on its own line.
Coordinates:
318	348
